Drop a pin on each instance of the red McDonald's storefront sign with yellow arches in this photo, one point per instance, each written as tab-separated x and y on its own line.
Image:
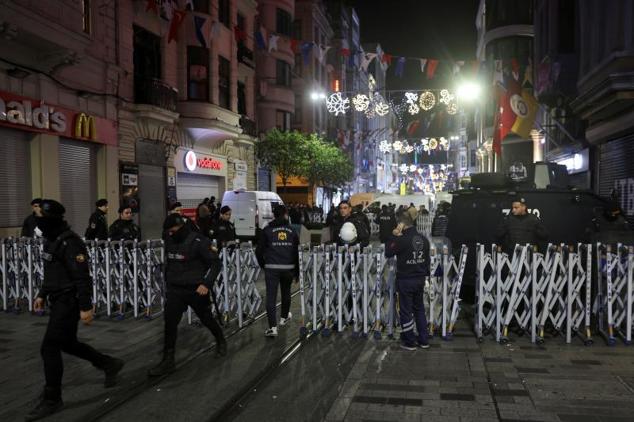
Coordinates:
32	115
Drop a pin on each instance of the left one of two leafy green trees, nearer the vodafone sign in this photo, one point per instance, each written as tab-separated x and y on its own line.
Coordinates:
285	152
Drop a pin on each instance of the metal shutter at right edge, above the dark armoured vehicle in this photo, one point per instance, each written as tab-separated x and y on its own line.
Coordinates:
616	171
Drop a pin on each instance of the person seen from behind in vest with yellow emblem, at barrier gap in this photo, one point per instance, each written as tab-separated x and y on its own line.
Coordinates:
277	253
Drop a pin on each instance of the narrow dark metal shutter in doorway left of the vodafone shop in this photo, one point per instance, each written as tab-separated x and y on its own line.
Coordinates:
152	200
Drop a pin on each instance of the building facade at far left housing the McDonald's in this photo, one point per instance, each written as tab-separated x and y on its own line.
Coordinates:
59	94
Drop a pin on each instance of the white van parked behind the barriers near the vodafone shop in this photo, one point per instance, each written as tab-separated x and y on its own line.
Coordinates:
250	210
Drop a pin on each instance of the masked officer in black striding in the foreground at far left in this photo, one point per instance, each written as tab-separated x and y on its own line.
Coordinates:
68	287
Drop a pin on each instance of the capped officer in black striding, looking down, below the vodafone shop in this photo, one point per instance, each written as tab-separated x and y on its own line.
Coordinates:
189	256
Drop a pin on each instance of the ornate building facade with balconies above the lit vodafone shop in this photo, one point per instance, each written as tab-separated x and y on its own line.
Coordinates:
186	128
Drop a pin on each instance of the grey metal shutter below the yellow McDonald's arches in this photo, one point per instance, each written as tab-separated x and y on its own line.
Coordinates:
77	182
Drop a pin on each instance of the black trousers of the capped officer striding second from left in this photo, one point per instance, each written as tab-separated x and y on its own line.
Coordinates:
178	299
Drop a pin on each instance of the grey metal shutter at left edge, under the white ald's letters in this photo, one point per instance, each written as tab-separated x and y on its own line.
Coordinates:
15	177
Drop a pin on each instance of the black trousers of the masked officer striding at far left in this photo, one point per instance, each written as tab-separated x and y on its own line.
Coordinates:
61	336
